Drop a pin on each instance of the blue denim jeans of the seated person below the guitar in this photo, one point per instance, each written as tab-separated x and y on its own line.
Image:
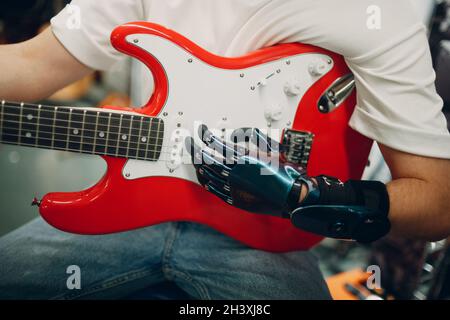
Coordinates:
198	261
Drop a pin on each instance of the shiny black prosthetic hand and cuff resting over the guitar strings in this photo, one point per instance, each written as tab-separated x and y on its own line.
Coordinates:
250	174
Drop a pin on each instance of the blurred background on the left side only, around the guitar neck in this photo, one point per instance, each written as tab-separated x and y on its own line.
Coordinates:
26	172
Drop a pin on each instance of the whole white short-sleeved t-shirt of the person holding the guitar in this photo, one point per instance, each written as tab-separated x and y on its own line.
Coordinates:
397	102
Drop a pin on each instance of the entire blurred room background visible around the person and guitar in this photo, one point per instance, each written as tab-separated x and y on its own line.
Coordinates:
418	270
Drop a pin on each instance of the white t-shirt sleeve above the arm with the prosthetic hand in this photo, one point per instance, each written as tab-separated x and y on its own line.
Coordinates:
397	102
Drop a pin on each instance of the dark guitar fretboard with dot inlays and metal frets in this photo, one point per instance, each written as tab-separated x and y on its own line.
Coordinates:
81	130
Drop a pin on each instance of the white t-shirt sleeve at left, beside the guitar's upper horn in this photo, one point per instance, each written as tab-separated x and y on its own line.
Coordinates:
84	28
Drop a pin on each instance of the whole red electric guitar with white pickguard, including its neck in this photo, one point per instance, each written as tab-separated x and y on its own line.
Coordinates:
298	94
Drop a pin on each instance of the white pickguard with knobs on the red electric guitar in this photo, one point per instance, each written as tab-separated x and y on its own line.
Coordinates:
221	99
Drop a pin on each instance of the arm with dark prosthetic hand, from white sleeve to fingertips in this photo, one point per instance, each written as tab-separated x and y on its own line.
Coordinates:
415	204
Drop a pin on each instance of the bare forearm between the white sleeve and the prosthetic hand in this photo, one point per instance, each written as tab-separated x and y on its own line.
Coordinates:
419	195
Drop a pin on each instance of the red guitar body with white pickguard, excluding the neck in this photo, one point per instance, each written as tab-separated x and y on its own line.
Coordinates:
192	85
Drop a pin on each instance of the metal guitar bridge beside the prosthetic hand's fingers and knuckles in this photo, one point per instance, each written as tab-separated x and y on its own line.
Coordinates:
297	147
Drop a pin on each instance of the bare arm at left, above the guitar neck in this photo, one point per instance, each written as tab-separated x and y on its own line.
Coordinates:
37	68
